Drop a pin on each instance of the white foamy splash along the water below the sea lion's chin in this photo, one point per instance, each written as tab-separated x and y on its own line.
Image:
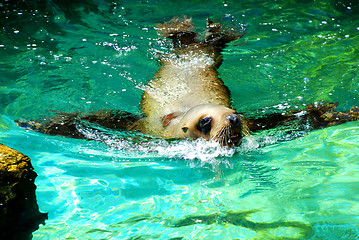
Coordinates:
135	145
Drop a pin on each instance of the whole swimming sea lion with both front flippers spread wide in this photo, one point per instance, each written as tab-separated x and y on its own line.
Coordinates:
187	99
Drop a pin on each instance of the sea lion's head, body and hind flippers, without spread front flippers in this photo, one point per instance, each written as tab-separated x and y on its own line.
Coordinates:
186	98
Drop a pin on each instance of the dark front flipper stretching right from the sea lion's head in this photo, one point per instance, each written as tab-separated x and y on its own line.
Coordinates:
316	115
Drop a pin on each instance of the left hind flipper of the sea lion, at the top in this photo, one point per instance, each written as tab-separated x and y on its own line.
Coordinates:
180	30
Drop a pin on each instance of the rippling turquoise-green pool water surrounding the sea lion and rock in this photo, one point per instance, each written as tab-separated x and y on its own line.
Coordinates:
98	55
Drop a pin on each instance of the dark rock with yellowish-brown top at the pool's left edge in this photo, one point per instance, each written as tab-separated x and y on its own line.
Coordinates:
19	212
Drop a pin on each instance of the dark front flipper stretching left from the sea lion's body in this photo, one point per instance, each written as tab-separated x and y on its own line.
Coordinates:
70	124
